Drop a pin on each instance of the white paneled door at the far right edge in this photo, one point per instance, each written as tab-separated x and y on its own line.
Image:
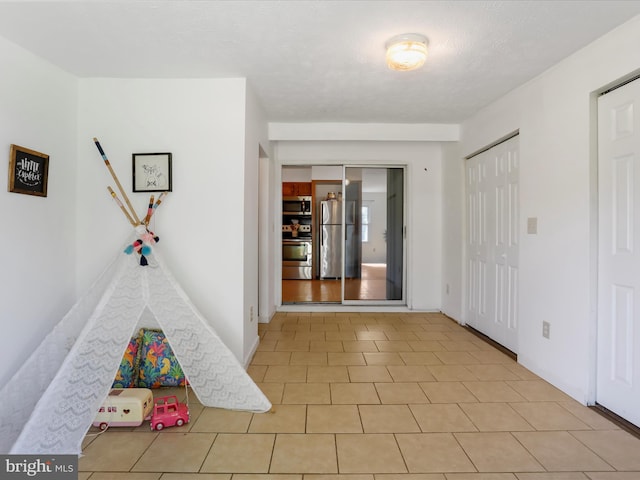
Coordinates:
618	373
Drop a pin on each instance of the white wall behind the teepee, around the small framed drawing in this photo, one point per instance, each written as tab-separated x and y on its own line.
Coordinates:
201	223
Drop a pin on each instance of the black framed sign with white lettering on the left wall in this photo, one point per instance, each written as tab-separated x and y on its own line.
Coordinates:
28	171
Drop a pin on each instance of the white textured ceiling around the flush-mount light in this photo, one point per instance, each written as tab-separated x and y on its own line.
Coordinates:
319	61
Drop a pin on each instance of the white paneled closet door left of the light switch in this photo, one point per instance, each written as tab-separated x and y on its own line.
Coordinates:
492	242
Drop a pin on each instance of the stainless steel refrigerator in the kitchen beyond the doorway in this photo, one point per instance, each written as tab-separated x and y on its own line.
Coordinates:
330	251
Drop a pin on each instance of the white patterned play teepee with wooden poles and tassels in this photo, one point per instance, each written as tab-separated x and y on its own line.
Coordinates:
49	404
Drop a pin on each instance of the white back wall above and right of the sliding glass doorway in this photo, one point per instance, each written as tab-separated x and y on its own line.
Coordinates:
424	205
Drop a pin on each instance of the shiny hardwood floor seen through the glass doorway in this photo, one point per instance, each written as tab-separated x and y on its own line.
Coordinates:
371	286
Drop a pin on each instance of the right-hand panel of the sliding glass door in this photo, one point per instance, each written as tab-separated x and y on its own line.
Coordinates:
373	235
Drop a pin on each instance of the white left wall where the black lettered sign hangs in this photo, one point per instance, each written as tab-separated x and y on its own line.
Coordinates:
38	111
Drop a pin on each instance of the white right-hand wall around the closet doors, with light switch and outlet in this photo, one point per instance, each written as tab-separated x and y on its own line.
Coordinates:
554	114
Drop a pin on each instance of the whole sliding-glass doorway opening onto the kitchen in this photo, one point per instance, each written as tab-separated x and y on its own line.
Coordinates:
344	243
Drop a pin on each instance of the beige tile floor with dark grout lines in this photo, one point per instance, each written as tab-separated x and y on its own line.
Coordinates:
377	397
